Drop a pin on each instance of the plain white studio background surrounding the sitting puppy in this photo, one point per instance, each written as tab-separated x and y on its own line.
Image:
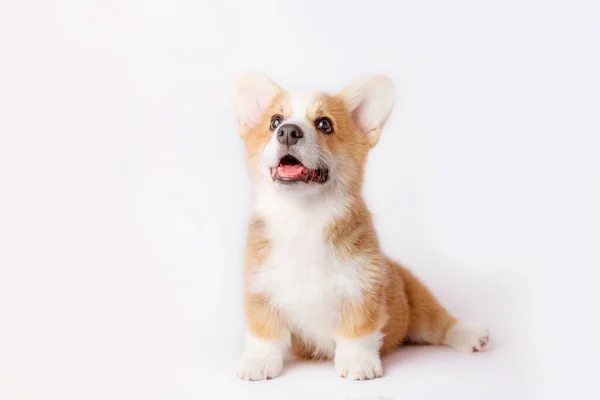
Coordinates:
124	199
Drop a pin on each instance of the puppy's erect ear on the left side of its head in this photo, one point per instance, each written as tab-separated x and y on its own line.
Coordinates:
254	92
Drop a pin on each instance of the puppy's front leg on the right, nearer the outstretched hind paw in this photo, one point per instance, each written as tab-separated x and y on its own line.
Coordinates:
359	339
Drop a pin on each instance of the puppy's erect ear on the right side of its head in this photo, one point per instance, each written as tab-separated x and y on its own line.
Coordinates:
370	101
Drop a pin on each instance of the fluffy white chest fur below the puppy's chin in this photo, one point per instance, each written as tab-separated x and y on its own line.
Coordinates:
302	275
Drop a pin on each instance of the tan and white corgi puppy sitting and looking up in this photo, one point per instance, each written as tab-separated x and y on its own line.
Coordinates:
315	279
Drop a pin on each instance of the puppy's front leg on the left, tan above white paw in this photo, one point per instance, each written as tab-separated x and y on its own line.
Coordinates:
266	339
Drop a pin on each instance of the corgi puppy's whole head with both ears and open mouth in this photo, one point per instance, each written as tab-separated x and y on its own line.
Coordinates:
303	143
